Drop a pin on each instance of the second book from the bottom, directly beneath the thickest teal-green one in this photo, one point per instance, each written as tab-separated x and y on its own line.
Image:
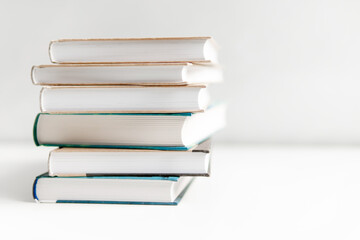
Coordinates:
116	162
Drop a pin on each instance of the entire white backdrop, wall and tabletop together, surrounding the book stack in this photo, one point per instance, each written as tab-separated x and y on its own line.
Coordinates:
291	77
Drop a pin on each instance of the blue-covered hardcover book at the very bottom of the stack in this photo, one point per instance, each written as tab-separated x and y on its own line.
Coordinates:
110	190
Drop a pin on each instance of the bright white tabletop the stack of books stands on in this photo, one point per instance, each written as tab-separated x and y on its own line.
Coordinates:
255	192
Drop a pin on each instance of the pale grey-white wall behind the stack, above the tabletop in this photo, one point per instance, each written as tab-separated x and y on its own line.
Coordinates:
291	67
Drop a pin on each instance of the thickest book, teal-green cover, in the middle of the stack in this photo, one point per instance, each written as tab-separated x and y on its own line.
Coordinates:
170	131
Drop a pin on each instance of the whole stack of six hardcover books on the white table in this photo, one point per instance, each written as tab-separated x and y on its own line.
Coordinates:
132	119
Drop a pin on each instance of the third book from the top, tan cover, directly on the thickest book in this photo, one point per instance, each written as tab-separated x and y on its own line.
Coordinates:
114	99
